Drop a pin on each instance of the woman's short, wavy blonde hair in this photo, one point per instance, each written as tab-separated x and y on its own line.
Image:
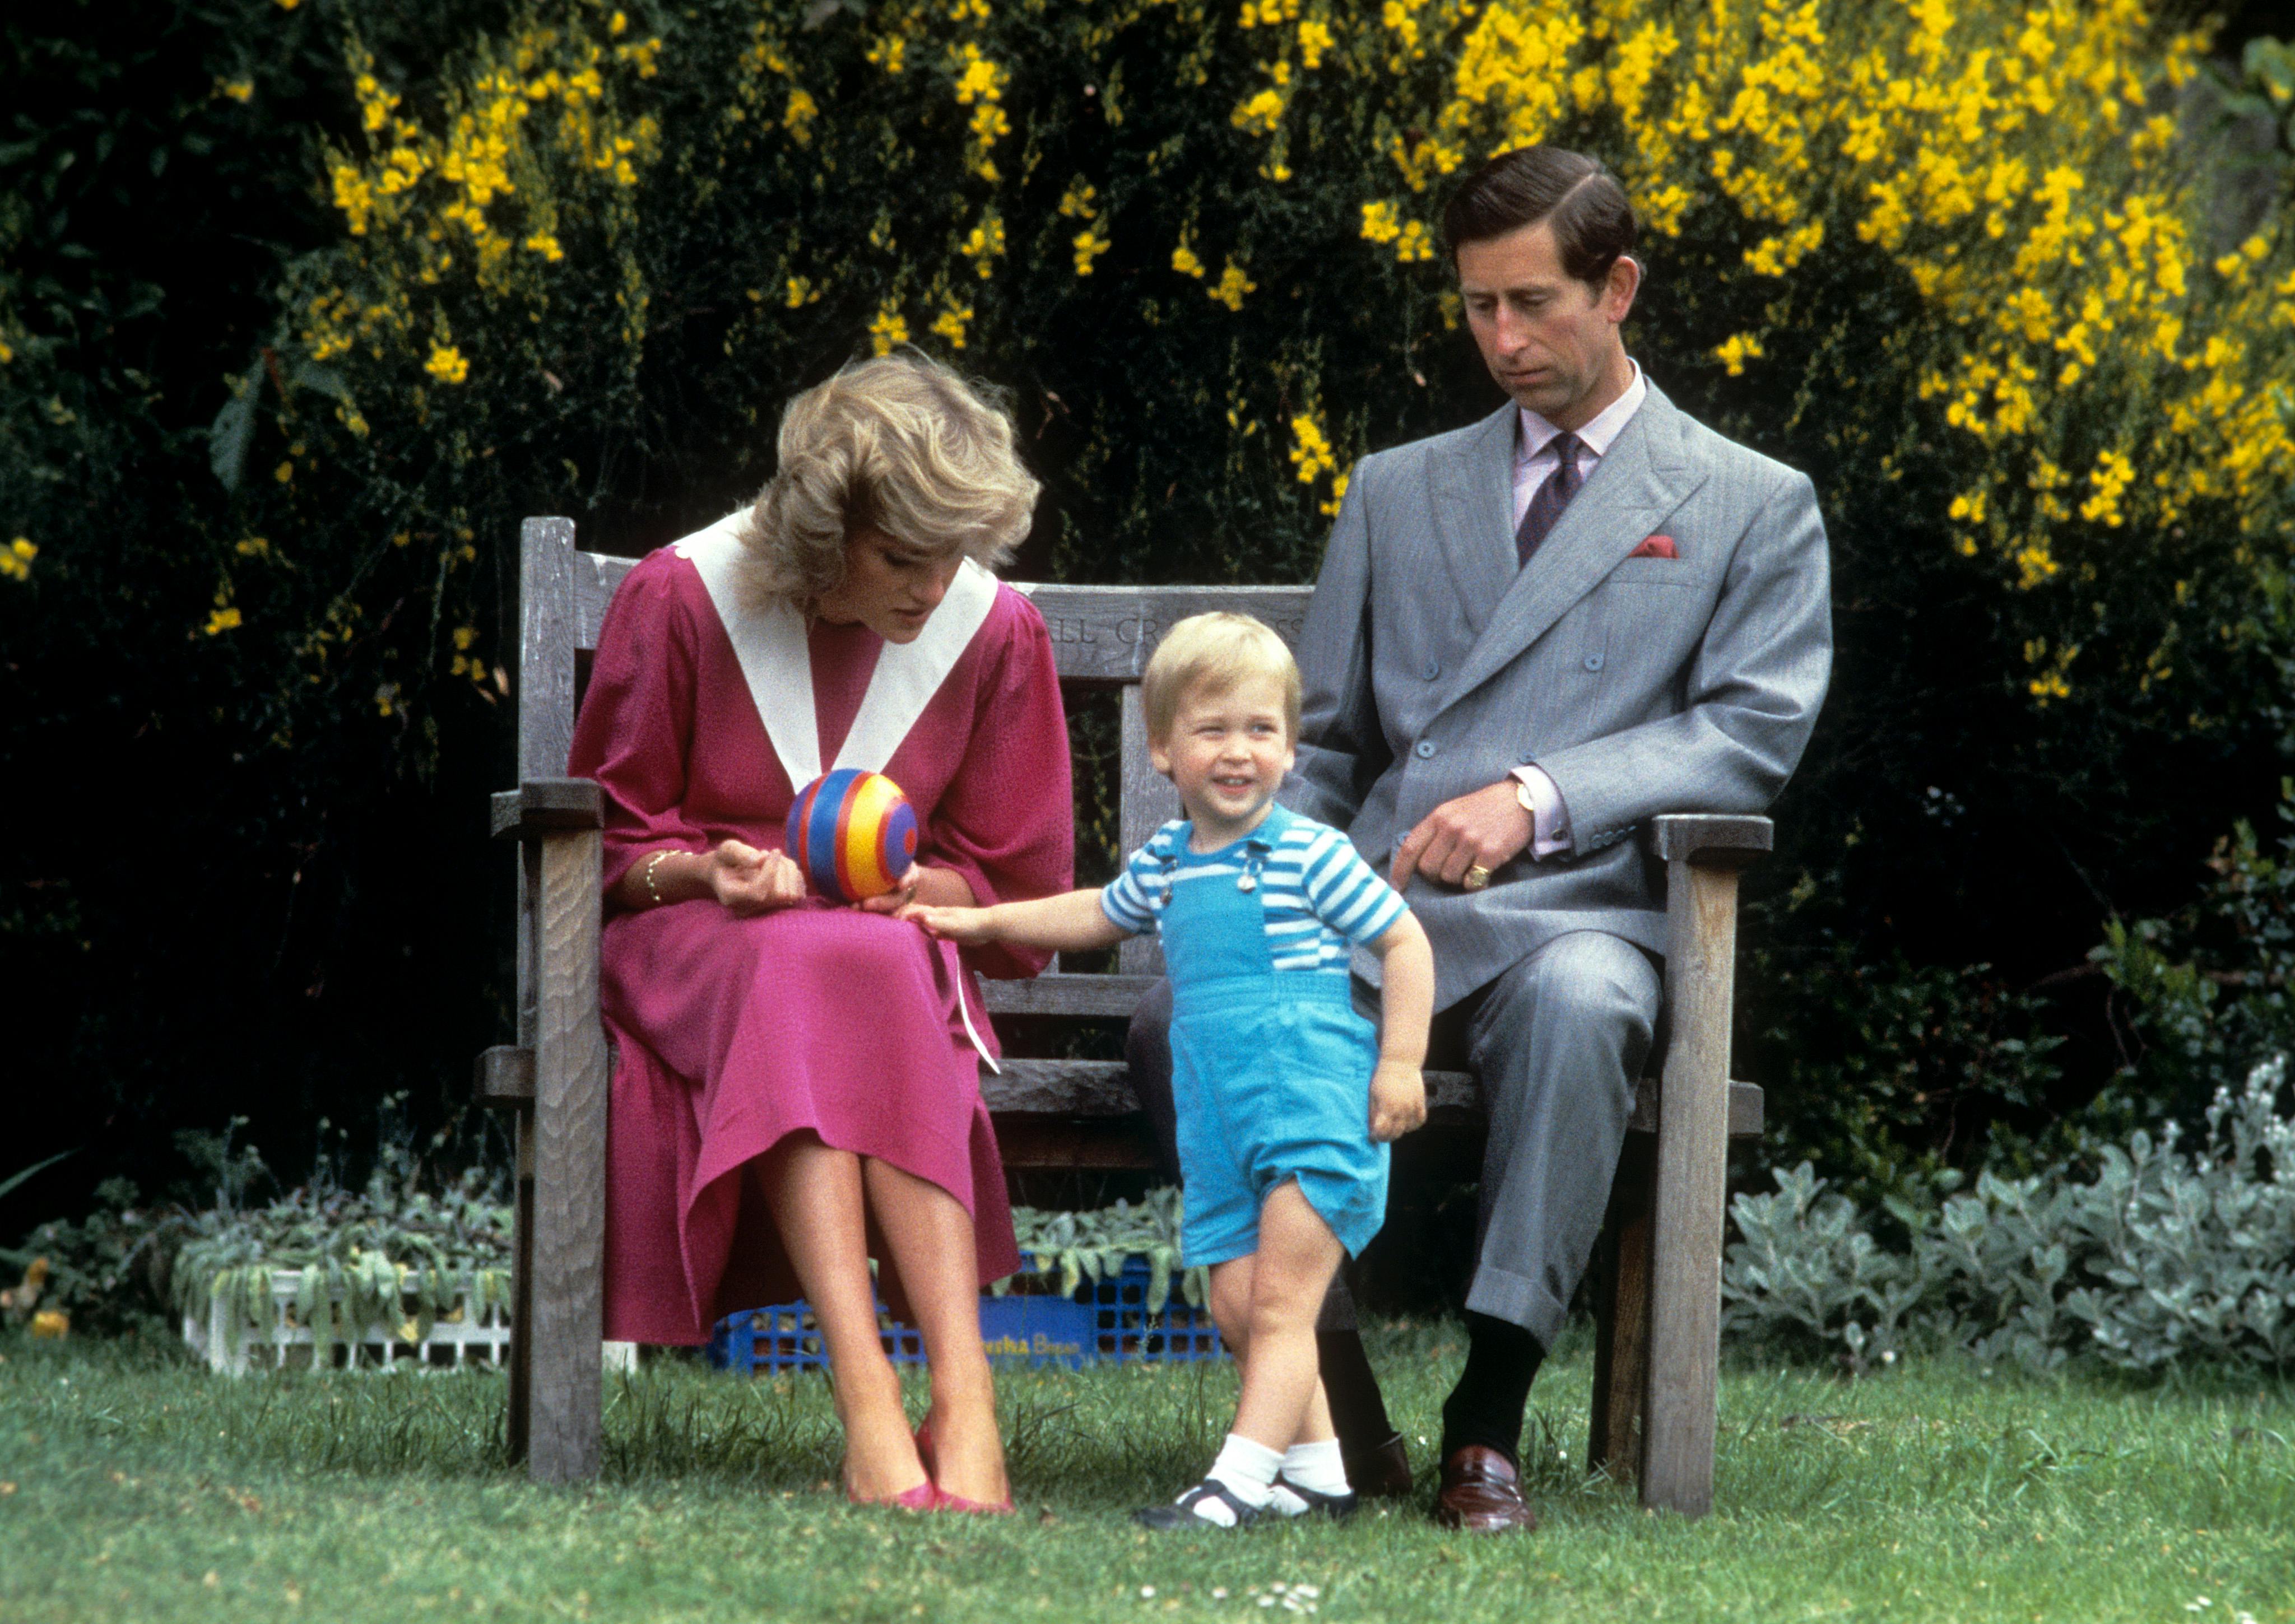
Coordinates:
903	446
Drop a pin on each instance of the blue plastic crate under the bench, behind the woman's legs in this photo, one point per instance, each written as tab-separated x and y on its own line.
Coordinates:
1105	1320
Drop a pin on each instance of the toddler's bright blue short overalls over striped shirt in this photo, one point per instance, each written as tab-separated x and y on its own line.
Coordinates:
1270	1070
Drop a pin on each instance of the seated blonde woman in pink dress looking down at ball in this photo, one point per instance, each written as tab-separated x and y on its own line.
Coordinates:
798	1084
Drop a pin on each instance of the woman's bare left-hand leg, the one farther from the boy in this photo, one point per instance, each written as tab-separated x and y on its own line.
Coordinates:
816	1201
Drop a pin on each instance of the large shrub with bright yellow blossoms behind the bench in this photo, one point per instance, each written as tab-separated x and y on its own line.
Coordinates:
1966	263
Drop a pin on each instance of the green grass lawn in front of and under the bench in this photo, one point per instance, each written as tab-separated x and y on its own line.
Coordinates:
141	1490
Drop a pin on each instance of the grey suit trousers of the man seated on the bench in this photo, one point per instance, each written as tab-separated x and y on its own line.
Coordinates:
1557	1045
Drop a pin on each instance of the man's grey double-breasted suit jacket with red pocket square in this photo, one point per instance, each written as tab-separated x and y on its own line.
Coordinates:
1637	685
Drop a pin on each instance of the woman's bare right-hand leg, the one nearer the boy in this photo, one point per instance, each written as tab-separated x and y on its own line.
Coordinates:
931	1237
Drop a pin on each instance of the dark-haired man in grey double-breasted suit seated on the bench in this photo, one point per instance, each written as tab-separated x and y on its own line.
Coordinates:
1530	639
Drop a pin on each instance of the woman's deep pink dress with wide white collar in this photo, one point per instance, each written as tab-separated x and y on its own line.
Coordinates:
733	1033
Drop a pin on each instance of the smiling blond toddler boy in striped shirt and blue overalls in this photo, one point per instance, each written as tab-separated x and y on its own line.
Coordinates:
1286	1098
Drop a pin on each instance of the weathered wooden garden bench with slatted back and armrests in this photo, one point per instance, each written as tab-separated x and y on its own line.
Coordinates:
1660	1258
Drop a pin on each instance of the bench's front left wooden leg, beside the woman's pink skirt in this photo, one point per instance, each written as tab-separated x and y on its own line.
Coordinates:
570	1169
